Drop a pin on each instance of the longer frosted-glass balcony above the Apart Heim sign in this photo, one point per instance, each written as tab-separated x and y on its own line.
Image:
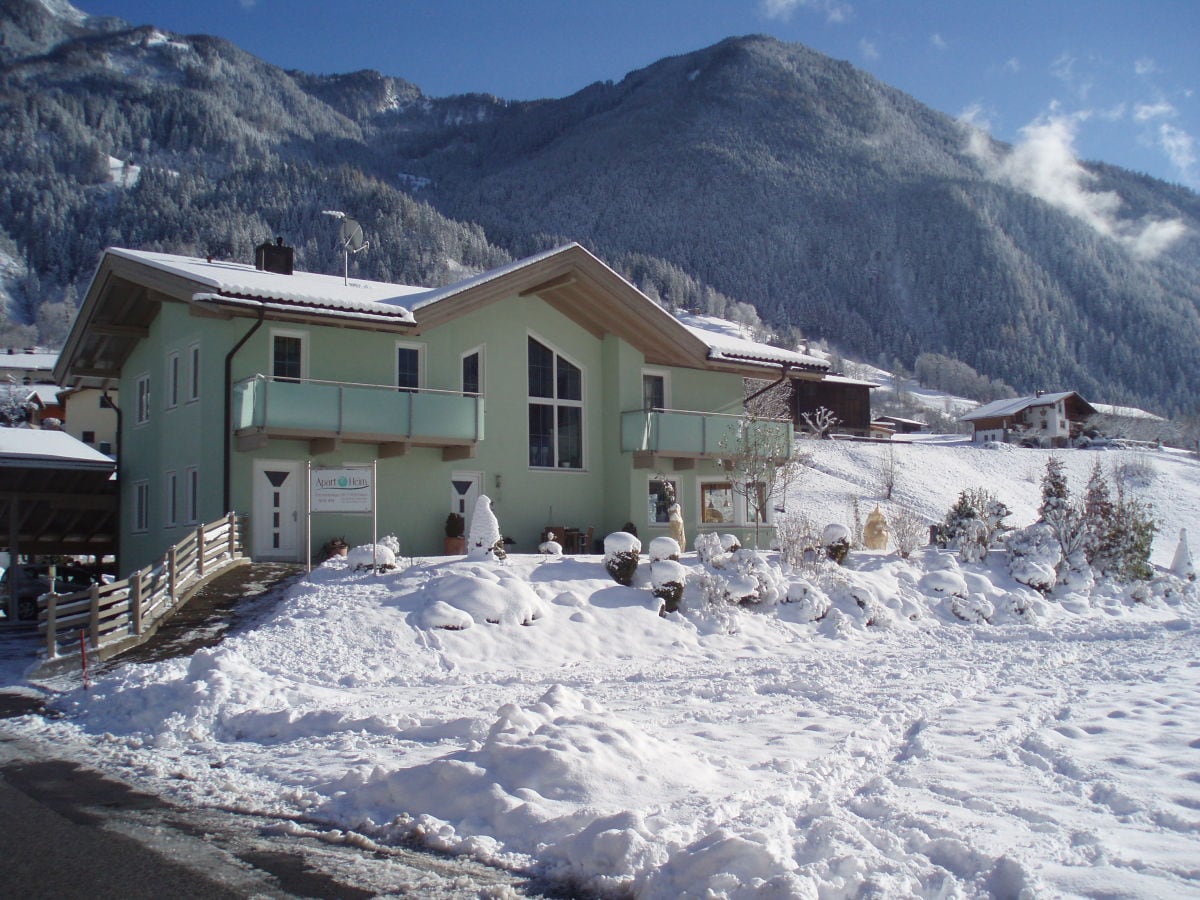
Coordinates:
328	413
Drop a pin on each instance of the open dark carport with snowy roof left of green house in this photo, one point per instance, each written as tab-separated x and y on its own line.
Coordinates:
58	497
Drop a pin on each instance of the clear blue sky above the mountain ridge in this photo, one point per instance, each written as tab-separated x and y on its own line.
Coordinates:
1107	80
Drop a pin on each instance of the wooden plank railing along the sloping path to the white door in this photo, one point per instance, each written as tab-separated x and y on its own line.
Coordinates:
115	617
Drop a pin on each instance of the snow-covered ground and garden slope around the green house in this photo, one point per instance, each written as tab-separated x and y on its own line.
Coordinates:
889	748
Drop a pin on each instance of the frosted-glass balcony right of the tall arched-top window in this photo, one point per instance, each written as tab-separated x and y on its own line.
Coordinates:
683	437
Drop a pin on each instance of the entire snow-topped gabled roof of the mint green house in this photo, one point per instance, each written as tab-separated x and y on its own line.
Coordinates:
129	286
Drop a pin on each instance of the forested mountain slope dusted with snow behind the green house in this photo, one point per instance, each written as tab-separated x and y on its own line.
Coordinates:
751	170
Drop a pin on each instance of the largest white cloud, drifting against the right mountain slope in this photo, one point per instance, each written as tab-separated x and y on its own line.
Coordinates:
1043	164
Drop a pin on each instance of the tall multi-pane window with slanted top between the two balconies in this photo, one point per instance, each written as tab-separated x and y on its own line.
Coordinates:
556	410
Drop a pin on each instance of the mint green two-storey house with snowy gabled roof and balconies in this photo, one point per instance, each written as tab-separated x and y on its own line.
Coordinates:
553	386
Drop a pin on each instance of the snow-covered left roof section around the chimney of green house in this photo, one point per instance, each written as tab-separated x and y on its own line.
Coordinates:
319	292
